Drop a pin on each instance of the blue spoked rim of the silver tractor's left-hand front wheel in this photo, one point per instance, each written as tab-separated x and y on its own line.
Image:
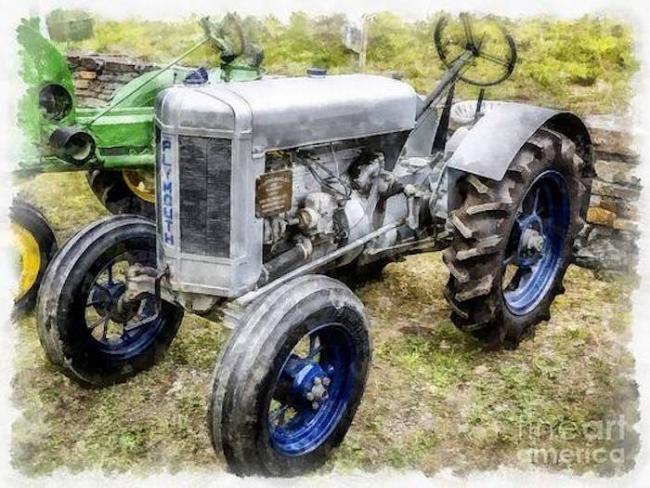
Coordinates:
119	337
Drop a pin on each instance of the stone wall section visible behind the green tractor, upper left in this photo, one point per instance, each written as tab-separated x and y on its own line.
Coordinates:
96	77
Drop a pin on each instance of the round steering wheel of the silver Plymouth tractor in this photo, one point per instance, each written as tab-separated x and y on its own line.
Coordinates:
494	54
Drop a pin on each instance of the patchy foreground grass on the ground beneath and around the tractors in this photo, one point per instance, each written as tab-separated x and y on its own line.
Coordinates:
434	398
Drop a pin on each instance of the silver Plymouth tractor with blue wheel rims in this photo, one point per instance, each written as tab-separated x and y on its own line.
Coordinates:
266	187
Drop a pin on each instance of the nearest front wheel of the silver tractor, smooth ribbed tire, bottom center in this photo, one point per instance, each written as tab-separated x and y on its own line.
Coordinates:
290	379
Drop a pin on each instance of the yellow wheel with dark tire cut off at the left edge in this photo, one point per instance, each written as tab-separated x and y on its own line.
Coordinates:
35	245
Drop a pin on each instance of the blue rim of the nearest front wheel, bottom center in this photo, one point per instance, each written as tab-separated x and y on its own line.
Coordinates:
295	426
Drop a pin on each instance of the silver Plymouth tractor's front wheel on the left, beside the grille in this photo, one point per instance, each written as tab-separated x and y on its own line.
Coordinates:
80	325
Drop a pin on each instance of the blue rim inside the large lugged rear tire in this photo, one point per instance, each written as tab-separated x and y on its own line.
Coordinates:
536	243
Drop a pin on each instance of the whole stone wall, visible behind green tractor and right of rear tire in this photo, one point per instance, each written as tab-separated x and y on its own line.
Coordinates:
608	242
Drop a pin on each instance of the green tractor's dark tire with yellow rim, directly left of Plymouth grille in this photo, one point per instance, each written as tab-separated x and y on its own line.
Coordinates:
118	192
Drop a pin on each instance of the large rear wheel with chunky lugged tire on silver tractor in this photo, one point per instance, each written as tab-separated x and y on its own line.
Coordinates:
486	234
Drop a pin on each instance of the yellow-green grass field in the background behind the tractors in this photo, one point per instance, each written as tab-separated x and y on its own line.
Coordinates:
582	64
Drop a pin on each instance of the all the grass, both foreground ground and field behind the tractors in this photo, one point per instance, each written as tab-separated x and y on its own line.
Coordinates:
434	398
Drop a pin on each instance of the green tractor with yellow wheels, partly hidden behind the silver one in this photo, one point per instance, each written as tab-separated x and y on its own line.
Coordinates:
112	144
